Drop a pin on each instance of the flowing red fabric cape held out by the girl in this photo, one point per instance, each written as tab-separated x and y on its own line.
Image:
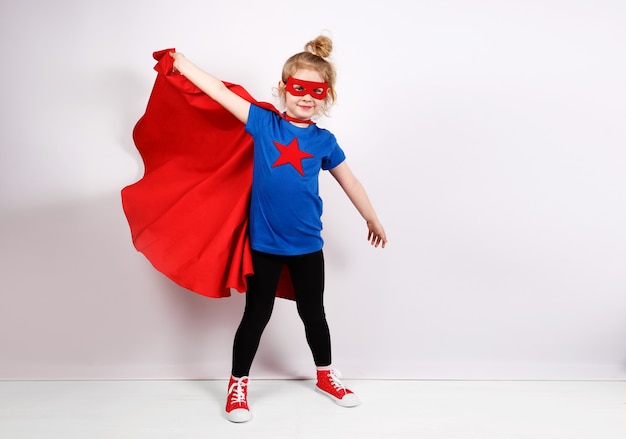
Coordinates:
188	214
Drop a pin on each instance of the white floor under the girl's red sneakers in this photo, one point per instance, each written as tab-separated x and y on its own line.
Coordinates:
291	409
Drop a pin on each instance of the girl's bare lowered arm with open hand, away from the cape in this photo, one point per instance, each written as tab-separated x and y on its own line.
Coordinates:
356	193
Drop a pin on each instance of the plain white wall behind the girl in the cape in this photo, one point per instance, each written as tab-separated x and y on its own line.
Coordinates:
489	134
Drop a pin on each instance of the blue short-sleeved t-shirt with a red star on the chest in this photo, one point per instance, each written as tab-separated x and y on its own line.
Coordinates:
285	206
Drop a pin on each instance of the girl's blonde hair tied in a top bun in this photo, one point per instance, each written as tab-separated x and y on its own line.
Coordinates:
313	58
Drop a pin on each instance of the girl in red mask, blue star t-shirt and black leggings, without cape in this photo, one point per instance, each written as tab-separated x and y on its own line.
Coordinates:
285	210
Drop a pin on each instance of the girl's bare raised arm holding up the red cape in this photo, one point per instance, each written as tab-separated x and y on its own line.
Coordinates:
212	86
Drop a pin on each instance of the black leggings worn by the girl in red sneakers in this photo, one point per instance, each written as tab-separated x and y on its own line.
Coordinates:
307	274
